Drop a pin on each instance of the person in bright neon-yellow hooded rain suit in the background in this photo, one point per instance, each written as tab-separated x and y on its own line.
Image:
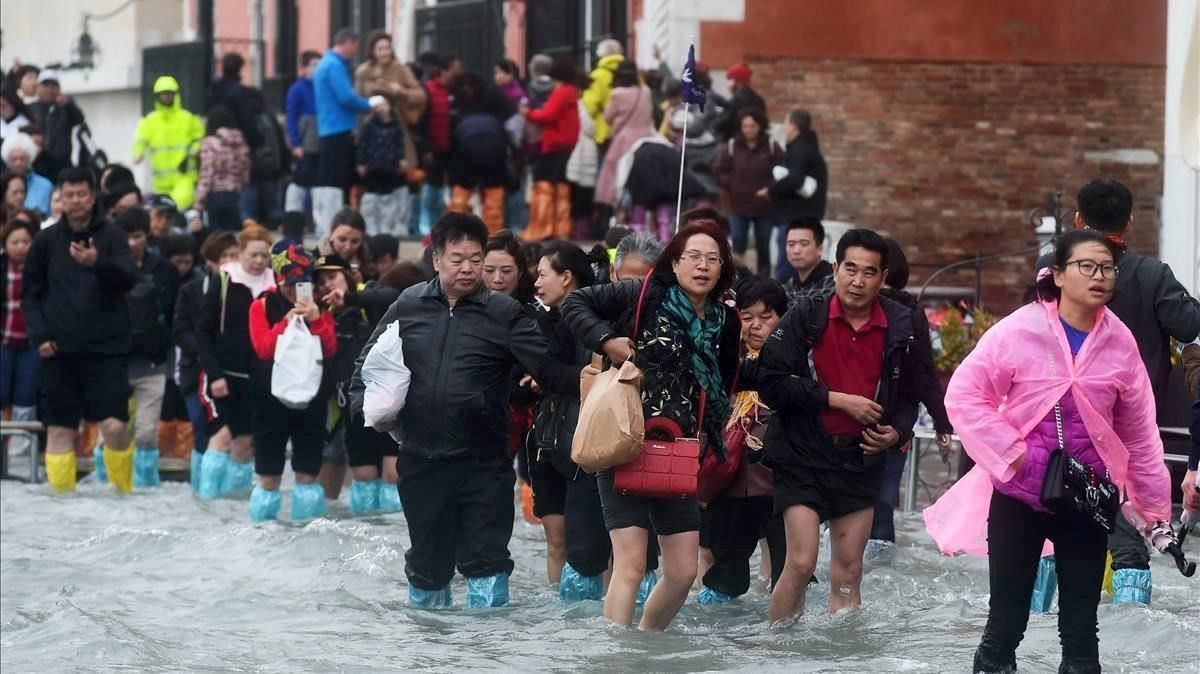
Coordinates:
172	136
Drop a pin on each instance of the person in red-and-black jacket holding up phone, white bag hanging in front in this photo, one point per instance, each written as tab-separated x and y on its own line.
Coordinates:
275	424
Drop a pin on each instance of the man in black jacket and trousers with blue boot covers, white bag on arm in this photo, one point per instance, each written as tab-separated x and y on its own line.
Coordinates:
461	342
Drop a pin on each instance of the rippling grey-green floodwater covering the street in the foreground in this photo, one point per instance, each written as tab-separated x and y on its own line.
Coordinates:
159	582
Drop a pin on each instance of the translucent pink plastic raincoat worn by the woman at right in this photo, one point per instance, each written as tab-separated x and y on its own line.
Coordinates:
1021	369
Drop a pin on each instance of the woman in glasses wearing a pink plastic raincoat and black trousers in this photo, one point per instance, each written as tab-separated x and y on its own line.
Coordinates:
1061	356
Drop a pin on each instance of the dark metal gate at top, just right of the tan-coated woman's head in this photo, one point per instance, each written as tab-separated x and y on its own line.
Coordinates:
472	31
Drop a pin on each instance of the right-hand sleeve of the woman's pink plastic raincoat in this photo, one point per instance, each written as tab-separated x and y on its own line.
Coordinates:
1148	482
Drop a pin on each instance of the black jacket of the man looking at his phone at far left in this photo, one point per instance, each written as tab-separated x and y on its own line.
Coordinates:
81	310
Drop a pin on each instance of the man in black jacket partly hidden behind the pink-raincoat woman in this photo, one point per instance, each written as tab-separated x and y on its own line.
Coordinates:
1155	308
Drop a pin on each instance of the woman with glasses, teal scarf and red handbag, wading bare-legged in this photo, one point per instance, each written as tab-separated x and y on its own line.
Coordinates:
687	344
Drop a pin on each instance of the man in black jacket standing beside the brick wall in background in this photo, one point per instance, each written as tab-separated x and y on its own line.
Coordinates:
800	191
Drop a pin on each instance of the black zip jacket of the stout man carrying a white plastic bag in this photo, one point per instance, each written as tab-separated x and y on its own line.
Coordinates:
461	360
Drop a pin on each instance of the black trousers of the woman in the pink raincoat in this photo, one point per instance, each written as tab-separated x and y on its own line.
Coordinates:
1016	535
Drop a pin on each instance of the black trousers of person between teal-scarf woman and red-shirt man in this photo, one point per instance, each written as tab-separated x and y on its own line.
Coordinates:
735	527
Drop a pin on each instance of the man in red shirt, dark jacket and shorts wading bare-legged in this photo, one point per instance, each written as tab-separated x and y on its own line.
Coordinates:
821	369
